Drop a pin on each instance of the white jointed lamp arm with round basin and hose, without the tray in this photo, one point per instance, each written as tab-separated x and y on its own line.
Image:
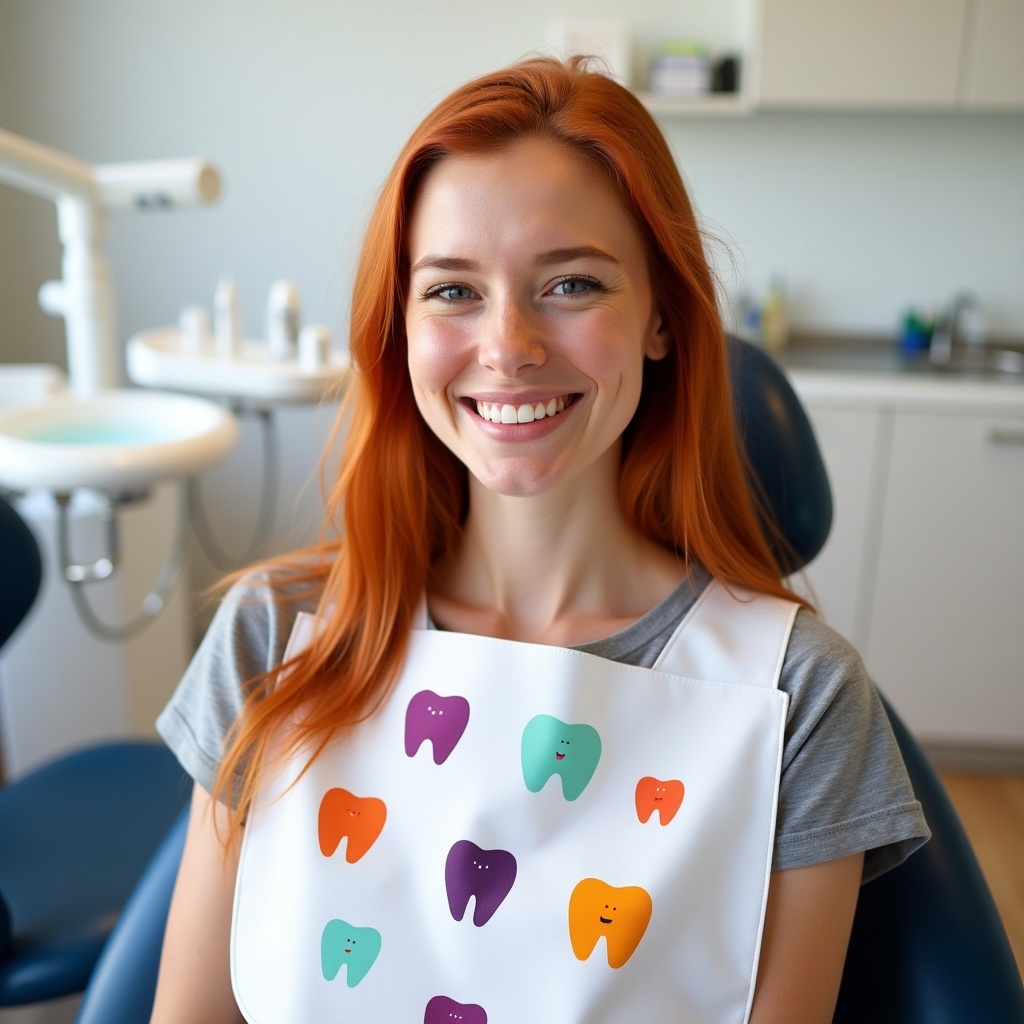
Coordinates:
101	437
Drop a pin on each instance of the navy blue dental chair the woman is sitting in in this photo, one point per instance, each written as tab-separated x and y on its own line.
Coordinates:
928	947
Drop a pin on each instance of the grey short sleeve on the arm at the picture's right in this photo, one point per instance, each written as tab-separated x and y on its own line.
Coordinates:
844	787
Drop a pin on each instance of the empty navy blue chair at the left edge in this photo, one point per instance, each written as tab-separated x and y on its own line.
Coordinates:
75	835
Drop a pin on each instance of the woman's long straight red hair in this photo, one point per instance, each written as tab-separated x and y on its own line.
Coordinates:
397	506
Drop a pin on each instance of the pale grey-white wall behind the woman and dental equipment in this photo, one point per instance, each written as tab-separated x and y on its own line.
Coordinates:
305	105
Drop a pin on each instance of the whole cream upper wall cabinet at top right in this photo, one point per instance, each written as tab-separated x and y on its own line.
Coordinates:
899	55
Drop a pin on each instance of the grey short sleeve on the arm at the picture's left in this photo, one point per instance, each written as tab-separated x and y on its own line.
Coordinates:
246	639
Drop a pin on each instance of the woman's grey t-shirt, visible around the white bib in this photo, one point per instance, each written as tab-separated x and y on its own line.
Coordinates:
844	787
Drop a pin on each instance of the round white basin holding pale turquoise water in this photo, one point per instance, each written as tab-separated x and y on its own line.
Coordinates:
119	442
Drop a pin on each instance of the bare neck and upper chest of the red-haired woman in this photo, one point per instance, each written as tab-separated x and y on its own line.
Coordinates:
563	568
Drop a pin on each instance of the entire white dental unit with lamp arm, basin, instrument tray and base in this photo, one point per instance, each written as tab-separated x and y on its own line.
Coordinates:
108	470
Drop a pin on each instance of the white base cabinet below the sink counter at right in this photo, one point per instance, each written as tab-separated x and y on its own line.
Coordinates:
924	570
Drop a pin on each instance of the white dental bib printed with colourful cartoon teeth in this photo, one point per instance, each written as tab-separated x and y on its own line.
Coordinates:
528	834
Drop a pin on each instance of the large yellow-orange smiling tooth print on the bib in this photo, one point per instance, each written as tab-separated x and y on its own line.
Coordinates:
622	916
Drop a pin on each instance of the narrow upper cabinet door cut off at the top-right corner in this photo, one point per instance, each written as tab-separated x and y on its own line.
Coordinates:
995	69
